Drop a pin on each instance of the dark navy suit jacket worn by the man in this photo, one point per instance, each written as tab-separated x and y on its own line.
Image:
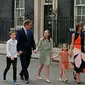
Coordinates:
25	44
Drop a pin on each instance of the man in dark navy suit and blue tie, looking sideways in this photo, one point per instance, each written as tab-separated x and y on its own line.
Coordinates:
24	47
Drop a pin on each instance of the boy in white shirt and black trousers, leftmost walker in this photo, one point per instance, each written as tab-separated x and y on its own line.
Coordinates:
11	56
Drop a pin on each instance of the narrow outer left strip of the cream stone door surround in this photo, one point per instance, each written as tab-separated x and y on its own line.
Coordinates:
36	21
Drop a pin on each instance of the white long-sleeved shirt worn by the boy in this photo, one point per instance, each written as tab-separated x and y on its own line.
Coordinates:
12	48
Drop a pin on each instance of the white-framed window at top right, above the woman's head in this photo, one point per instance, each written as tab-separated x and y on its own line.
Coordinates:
79	11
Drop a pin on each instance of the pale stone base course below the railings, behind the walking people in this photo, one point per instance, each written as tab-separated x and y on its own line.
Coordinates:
35	56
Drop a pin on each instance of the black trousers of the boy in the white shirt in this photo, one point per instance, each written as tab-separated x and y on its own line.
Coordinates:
14	63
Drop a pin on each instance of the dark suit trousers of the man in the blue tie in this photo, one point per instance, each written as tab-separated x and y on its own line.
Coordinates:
25	61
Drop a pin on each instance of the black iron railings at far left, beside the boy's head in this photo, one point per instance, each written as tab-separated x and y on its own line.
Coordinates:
5	26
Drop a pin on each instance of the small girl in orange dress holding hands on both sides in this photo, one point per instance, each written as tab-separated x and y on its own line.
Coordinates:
64	62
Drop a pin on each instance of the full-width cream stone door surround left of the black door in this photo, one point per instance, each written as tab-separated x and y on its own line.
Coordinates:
38	19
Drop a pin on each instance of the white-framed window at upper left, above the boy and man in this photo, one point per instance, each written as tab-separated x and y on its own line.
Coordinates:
20	11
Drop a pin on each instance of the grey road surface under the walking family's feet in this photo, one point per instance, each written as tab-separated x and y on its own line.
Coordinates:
33	68
